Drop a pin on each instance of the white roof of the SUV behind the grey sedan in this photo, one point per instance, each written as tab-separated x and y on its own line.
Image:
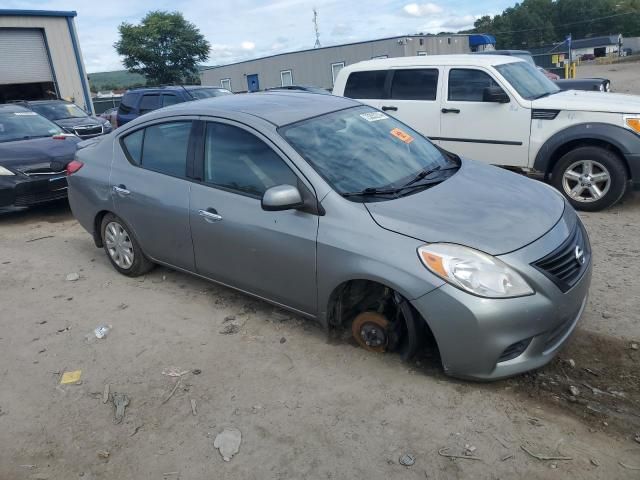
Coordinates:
433	61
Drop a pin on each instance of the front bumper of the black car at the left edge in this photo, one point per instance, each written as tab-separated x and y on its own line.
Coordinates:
24	191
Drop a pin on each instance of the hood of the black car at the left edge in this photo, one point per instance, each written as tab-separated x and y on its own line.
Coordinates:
37	152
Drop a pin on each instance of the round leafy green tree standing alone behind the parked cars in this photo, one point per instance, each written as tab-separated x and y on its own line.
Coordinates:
165	47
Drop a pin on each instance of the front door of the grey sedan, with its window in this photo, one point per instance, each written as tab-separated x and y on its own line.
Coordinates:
236	242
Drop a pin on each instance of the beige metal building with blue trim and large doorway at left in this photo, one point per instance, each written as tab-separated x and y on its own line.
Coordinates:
40	57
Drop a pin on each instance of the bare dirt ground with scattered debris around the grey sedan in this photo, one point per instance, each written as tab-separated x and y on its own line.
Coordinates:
307	407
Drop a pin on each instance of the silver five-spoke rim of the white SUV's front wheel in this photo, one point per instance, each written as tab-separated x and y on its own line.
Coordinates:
586	181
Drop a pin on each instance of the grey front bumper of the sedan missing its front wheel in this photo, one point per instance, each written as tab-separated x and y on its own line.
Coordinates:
474	333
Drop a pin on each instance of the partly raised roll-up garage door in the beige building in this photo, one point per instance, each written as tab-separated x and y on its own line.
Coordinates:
23	57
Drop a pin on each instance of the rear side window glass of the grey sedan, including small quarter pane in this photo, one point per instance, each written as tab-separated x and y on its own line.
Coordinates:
162	147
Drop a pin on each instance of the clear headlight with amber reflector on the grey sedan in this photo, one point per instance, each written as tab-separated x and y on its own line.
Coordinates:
473	271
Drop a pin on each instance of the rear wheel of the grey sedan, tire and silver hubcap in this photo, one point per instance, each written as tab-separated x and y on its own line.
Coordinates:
122	248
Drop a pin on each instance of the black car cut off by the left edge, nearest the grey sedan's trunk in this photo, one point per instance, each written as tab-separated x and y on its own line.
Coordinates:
33	154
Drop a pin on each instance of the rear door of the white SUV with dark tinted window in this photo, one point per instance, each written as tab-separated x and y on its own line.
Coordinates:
413	99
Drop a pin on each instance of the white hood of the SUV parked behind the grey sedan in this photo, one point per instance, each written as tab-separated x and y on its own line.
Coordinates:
586	101
